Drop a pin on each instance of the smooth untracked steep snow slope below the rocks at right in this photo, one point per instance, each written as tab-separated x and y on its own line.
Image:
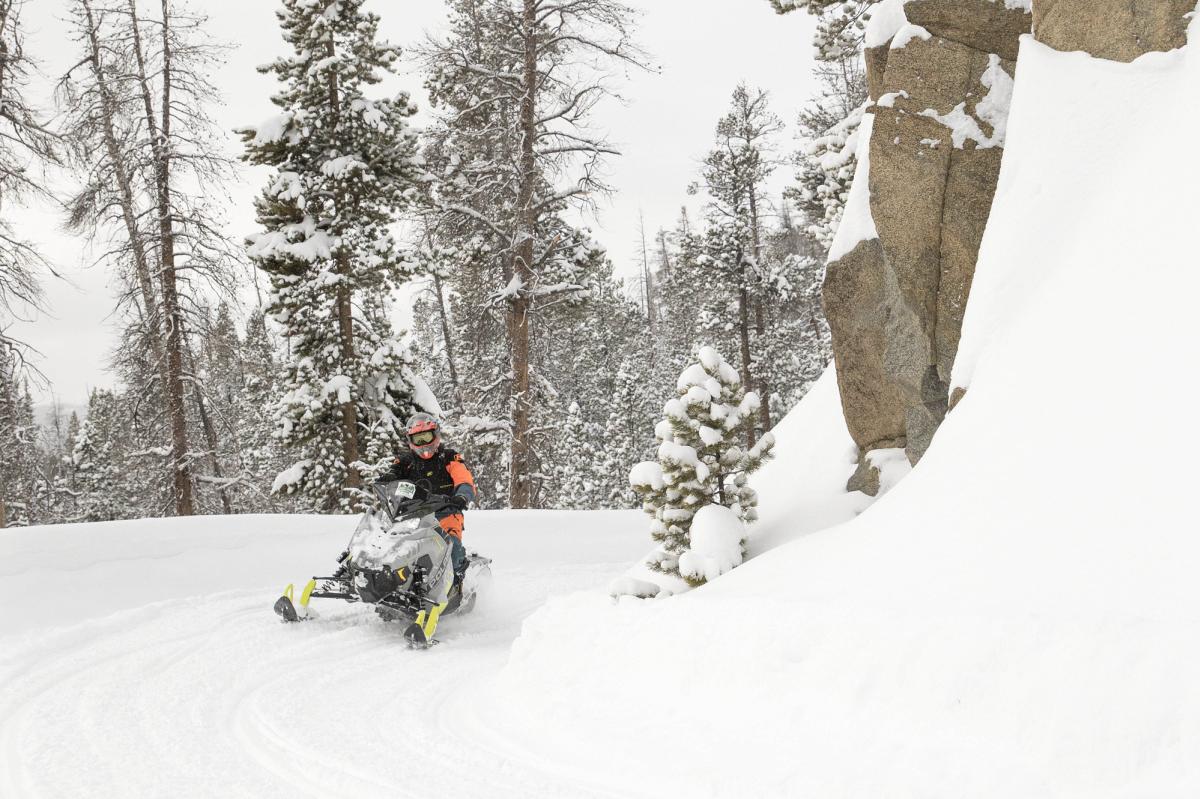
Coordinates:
1019	617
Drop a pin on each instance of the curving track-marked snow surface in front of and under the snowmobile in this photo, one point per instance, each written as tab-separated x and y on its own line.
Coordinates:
209	696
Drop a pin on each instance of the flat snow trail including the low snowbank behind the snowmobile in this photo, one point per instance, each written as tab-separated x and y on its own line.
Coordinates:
196	693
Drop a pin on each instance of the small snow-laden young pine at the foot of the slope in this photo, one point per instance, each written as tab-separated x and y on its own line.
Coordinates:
701	460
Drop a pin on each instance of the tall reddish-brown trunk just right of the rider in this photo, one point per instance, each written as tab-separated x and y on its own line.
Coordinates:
521	486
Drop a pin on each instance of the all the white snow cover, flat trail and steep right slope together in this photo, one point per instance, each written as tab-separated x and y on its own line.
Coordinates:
1019	617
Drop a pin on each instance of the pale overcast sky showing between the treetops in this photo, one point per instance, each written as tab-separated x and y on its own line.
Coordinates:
701	50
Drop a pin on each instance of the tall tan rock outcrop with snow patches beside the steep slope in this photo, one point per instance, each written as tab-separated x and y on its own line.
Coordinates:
896	303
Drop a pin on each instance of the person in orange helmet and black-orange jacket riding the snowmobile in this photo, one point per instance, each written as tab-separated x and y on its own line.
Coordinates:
447	473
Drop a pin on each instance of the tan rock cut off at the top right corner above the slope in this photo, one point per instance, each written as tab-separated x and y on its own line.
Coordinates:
1119	31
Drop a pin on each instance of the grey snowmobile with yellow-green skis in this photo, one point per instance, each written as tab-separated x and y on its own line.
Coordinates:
399	562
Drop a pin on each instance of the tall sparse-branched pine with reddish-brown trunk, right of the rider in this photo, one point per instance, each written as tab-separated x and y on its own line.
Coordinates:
517	85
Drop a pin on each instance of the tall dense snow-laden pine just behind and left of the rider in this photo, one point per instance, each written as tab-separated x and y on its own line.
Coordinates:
345	167
